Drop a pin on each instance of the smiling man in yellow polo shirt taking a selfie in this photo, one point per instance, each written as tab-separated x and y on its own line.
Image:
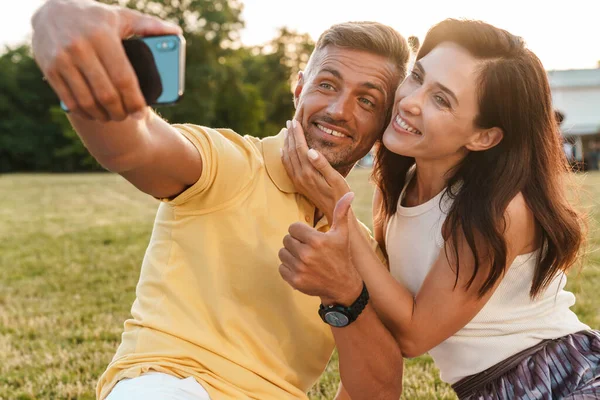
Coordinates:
213	317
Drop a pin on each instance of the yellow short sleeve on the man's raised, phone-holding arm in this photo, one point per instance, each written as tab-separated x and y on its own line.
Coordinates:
229	165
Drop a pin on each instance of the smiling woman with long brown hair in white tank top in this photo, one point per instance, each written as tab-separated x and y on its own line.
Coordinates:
471	210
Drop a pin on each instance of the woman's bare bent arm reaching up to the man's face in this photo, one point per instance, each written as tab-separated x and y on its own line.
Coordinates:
440	308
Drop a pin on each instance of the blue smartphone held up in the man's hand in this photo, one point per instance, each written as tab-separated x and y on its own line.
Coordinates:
159	64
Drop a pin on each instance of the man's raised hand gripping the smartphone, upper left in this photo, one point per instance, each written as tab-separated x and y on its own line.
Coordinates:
78	46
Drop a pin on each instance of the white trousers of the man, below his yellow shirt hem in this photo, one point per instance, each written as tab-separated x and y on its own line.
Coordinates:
158	386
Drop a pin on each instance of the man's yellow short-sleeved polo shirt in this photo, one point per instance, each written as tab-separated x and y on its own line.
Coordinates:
210	301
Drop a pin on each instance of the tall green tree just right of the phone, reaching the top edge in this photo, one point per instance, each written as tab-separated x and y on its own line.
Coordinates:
215	91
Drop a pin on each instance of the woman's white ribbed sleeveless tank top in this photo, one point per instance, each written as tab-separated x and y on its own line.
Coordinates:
509	322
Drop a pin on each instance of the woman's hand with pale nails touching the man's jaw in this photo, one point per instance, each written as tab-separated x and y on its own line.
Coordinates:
310	172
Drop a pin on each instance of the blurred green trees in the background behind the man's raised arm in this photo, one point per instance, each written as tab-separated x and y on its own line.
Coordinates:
227	85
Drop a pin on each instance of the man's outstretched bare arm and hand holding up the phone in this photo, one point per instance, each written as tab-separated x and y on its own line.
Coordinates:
77	44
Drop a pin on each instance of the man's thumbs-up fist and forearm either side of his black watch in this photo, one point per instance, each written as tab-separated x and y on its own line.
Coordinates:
370	360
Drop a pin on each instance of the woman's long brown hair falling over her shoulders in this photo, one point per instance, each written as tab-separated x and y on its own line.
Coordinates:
514	95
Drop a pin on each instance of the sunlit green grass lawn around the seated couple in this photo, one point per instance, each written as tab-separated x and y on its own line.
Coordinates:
70	253
